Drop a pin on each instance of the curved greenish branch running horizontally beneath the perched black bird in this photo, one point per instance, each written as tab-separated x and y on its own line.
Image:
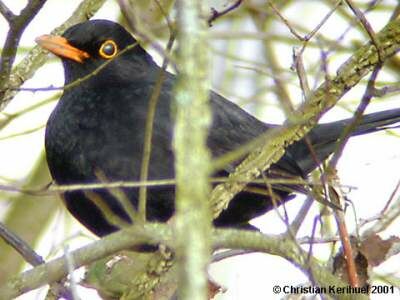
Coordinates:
162	233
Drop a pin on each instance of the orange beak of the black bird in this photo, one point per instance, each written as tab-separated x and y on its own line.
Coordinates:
61	47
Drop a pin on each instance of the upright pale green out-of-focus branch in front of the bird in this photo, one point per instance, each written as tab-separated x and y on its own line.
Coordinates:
192	164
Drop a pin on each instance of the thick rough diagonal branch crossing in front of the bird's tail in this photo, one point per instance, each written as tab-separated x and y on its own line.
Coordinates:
307	115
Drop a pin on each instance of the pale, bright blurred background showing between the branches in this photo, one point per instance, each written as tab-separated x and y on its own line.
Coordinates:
252	65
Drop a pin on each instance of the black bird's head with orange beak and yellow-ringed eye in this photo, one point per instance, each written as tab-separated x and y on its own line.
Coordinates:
89	47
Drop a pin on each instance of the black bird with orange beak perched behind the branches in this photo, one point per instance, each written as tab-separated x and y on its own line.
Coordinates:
98	127
